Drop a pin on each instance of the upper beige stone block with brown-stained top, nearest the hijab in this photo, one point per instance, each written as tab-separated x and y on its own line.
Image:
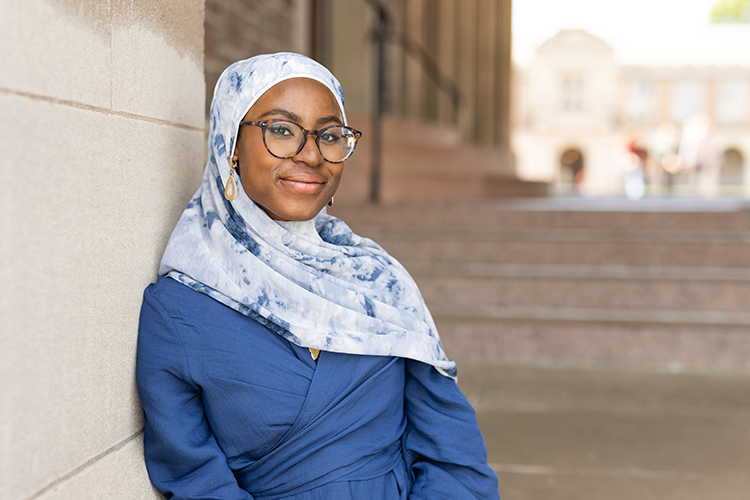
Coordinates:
157	59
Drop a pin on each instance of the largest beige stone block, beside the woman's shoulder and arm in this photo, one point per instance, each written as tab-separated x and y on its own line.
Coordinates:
89	200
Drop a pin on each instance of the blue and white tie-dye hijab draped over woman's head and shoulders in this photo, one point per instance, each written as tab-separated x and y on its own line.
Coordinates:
315	283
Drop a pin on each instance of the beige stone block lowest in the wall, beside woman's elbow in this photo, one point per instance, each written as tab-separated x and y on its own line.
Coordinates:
120	474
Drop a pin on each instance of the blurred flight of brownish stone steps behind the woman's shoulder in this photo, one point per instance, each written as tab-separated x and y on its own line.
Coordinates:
662	284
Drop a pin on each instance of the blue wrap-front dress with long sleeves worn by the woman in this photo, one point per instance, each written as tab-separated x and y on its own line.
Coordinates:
235	412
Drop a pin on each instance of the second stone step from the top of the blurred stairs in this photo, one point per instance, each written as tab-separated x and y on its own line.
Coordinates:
725	249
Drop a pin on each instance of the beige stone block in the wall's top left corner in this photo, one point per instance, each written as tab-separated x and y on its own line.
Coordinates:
58	49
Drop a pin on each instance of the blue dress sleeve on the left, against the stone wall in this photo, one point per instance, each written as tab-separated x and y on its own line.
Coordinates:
182	456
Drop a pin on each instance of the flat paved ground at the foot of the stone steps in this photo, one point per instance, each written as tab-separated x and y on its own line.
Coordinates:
585	434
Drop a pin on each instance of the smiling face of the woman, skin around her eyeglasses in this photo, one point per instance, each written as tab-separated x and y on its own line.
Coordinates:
294	188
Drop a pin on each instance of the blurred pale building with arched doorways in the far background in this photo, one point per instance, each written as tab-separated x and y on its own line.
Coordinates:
591	125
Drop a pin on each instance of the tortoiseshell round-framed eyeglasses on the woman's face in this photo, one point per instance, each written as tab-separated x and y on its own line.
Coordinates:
285	139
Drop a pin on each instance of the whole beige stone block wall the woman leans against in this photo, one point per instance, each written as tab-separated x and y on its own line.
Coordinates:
102	143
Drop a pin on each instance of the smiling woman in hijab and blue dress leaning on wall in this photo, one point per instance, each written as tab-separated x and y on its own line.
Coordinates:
279	354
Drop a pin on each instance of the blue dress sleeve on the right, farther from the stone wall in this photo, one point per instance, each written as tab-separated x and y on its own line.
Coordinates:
443	446
